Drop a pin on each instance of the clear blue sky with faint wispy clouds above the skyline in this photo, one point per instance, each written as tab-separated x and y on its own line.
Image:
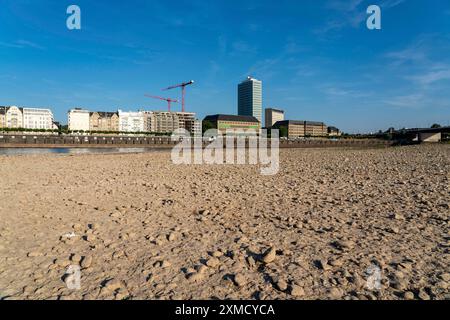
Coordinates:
317	59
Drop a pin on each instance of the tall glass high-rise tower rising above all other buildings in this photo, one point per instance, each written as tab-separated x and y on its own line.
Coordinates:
250	98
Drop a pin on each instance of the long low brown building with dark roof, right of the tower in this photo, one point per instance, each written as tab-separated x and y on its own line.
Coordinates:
295	129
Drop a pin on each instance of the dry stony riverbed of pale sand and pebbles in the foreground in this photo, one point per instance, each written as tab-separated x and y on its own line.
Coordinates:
332	224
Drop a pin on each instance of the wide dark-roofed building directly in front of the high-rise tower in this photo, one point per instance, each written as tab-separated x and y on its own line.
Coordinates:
236	124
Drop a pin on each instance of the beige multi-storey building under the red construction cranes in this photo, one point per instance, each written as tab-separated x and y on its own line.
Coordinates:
167	122
